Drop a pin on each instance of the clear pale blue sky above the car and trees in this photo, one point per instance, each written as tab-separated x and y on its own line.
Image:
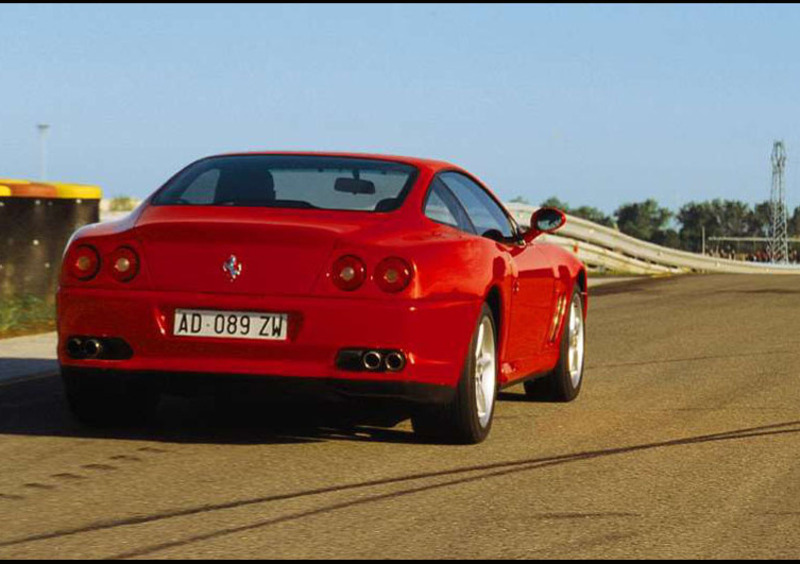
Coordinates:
597	105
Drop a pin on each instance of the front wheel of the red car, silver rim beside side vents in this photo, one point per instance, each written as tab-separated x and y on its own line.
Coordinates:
564	383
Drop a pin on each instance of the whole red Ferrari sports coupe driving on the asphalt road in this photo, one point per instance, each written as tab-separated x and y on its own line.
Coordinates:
369	275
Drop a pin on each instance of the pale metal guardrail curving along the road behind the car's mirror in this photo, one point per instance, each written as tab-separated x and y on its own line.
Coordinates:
603	246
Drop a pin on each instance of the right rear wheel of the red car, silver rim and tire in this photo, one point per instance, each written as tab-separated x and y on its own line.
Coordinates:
467	419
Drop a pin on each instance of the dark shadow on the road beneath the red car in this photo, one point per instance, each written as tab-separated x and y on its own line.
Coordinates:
37	407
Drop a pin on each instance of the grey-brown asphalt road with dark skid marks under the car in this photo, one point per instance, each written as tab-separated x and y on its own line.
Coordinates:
684	444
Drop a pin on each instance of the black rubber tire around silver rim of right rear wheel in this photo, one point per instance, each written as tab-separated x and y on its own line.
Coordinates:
458	422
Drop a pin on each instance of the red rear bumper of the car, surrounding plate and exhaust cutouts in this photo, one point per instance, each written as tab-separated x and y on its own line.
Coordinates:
434	335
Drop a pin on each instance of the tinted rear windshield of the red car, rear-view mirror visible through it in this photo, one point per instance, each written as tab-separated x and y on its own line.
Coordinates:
304	182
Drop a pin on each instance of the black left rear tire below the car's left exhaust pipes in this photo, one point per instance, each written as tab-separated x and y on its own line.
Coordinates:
108	401
